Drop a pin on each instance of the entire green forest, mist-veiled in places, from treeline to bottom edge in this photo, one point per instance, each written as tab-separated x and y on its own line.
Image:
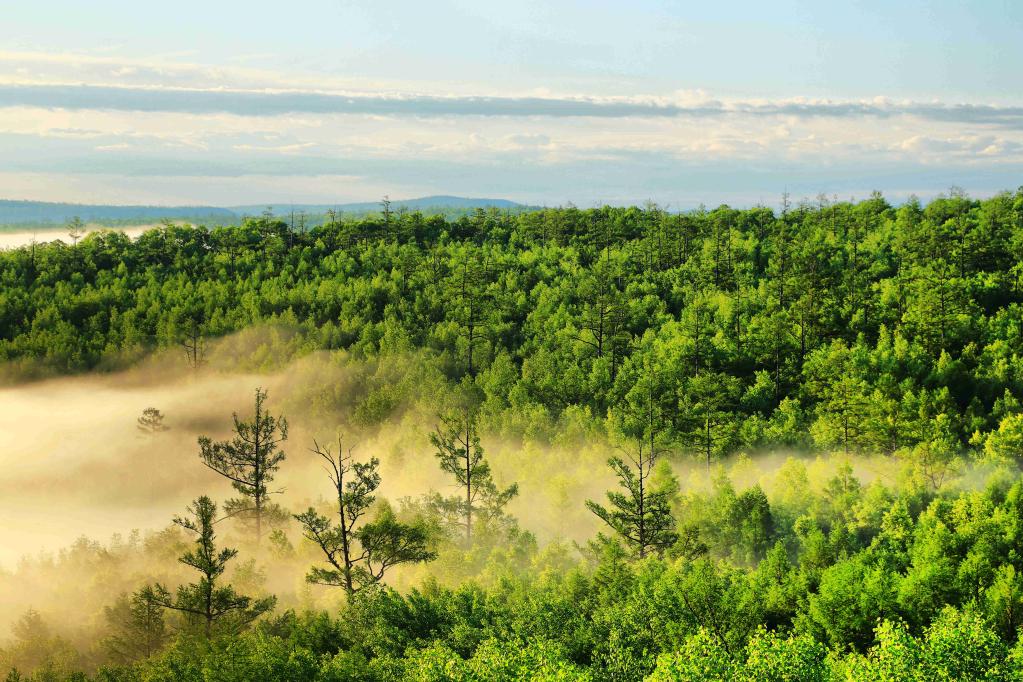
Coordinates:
558	444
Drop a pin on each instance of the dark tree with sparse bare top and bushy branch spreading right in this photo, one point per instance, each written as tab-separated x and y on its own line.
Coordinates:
360	554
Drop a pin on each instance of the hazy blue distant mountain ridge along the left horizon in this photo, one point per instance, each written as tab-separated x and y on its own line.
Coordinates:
48	213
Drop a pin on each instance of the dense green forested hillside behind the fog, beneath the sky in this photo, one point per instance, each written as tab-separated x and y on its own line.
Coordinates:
859	327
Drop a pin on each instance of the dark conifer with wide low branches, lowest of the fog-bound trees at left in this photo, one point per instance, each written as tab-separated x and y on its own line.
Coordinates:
207	602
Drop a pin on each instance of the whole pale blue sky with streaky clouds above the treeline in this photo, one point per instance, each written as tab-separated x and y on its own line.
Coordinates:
322	102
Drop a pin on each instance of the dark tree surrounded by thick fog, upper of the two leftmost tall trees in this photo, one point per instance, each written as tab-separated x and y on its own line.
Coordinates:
250	462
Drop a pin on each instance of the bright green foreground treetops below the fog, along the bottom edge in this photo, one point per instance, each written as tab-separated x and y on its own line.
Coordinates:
920	594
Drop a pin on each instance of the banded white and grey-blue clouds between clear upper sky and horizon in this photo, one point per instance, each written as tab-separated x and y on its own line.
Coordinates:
99	129
